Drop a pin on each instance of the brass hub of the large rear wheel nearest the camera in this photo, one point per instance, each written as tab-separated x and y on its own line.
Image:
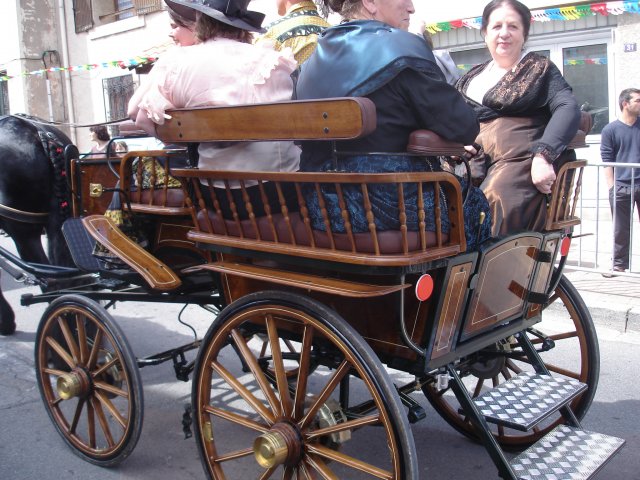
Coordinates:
280	445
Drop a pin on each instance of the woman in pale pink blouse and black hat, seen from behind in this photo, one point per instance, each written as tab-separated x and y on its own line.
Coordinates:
224	68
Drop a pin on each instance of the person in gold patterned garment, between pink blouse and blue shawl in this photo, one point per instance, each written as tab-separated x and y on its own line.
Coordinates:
298	28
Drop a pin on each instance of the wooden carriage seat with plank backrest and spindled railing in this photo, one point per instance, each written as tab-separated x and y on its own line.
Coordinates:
291	233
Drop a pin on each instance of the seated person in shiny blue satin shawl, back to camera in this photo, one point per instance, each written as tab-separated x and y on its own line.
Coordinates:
371	54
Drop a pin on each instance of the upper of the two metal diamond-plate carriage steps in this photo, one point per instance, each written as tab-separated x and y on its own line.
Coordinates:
526	399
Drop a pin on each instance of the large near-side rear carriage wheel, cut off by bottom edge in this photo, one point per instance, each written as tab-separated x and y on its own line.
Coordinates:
315	403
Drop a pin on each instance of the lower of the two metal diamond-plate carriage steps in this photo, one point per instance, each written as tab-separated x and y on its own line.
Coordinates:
566	453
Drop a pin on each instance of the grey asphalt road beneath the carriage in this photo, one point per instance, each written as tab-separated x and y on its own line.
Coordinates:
30	447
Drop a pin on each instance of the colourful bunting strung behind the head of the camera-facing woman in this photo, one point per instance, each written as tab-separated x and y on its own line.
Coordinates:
569	12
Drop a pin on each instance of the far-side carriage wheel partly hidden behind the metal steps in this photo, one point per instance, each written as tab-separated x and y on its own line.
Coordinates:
575	355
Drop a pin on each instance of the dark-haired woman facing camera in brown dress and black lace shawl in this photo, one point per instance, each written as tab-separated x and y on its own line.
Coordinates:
528	115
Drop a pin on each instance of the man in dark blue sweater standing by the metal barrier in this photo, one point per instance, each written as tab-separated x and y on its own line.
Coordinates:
621	144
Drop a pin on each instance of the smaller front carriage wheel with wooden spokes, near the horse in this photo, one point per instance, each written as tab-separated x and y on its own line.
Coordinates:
89	380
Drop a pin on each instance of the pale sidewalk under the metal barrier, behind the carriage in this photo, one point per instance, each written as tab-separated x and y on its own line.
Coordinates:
613	302
